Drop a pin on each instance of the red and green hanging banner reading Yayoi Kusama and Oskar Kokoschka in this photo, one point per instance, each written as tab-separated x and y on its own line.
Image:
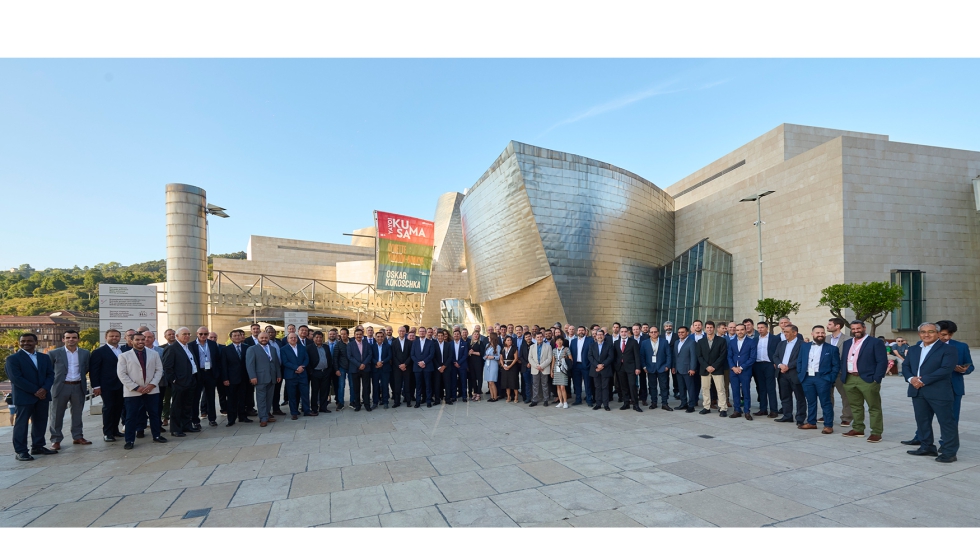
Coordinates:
405	248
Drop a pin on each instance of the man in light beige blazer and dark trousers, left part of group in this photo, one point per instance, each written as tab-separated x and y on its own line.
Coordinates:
140	371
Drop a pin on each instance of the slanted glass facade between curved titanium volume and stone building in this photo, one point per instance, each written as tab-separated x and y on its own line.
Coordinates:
696	285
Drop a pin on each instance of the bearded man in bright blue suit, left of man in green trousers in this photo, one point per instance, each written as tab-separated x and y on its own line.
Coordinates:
818	365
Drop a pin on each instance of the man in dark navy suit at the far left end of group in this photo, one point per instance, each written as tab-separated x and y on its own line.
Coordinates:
31	373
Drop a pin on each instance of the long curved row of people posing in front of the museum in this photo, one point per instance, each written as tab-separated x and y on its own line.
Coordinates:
182	381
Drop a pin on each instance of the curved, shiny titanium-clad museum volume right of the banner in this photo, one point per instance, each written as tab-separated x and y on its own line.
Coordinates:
588	236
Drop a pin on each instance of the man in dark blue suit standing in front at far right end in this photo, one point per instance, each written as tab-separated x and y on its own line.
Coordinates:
928	368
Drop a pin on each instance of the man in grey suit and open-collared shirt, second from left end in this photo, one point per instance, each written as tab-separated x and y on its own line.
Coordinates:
70	368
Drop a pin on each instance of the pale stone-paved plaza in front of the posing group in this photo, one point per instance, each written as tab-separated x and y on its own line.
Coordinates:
502	465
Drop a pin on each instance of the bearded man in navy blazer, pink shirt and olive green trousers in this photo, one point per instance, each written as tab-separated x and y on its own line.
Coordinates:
863	366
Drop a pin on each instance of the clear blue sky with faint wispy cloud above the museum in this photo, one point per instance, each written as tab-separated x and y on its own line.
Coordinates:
308	148
